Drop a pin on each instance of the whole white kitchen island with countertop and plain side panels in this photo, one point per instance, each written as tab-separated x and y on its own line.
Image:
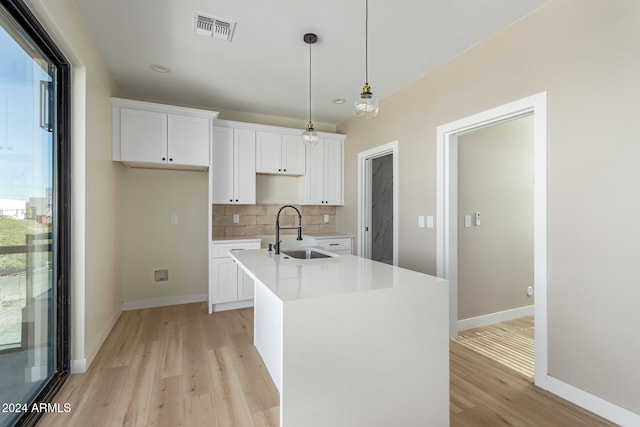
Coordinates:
351	342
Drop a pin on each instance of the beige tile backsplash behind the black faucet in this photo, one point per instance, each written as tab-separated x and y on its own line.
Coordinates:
259	220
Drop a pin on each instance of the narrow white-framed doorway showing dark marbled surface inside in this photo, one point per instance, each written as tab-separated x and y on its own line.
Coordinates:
378	203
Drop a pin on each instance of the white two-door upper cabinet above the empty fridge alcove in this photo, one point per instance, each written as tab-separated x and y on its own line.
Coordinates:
161	136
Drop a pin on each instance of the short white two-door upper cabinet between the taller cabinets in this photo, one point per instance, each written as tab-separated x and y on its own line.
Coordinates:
279	153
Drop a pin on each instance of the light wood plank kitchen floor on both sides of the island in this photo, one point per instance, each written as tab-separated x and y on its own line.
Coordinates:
179	366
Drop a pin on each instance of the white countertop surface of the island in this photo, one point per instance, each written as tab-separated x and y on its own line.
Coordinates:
292	279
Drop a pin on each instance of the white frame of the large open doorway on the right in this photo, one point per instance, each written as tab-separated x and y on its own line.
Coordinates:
447	209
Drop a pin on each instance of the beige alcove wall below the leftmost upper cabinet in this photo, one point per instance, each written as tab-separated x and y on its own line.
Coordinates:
151	242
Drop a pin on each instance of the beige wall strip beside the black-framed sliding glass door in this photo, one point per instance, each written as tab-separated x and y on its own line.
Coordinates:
96	291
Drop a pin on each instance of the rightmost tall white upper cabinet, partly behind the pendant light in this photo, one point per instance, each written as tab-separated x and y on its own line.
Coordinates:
323	182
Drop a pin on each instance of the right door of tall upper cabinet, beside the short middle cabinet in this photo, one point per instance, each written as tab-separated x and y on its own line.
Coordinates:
244	162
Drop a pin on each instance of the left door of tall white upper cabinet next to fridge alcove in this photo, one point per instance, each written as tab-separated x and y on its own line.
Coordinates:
221	169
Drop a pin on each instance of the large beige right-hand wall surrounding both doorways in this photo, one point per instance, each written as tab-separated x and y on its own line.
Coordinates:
586	55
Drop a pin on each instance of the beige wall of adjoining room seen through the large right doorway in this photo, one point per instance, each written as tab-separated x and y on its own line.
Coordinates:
495	178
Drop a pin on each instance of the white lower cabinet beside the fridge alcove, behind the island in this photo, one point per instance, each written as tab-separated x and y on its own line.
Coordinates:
229	286
